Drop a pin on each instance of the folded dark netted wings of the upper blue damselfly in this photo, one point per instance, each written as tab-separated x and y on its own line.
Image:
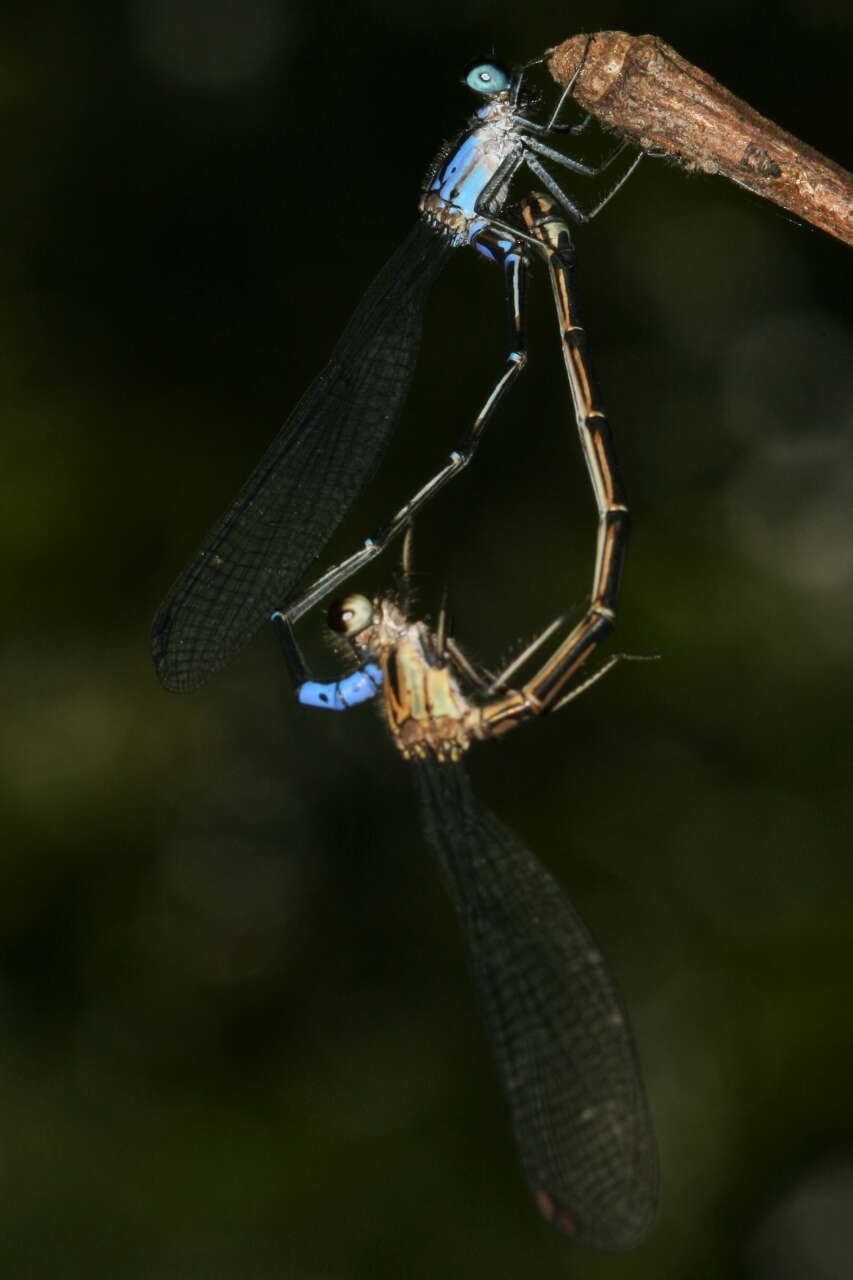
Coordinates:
304	486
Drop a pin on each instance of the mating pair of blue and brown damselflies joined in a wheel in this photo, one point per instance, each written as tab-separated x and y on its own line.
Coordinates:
558	1028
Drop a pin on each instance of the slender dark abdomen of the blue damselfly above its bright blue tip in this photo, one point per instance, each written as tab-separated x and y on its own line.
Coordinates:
516	271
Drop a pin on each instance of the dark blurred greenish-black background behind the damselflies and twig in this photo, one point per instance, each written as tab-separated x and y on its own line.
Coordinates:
238	1040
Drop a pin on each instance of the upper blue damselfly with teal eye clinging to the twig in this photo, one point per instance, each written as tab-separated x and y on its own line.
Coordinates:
254	557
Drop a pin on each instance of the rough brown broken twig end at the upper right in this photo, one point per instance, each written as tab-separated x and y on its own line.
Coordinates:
649	94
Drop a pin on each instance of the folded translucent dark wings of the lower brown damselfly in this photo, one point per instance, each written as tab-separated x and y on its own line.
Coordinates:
556	1023
